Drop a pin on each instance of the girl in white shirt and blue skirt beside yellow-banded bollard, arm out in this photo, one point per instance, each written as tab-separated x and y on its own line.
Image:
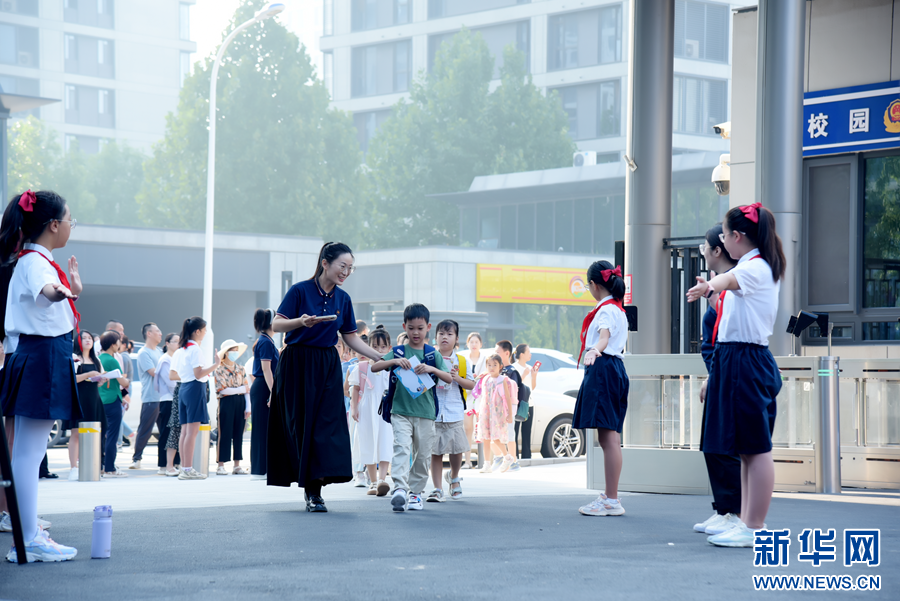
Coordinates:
193	394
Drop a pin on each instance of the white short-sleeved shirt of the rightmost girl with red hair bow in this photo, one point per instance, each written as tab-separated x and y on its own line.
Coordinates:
748	314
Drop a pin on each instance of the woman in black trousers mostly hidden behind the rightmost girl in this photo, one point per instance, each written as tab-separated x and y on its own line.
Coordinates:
724	470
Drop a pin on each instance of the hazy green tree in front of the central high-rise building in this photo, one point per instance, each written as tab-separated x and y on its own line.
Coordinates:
452	129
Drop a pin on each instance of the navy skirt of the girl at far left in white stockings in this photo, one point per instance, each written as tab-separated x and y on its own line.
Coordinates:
38	379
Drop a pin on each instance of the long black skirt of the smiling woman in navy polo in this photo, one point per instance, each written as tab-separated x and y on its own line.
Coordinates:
308	434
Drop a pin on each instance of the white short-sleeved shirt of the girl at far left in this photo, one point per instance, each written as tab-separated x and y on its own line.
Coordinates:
27	310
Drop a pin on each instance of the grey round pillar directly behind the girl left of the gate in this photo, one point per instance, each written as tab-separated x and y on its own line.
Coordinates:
648	189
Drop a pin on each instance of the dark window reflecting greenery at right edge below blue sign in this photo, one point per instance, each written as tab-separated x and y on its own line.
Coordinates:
881	237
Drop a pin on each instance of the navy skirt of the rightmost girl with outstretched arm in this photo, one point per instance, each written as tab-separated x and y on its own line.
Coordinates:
740	400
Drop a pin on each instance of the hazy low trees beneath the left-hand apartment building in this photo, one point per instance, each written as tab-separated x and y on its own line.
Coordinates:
100	188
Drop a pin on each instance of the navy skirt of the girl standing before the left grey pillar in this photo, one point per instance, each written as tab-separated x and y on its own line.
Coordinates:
603	396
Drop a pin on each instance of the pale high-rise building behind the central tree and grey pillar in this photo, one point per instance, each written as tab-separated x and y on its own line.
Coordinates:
374	48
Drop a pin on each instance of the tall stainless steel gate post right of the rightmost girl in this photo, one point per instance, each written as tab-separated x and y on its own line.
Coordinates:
828	445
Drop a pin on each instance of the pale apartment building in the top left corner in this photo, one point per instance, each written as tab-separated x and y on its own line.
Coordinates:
115	65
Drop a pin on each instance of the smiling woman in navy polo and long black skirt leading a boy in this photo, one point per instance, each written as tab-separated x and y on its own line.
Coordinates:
309	440
